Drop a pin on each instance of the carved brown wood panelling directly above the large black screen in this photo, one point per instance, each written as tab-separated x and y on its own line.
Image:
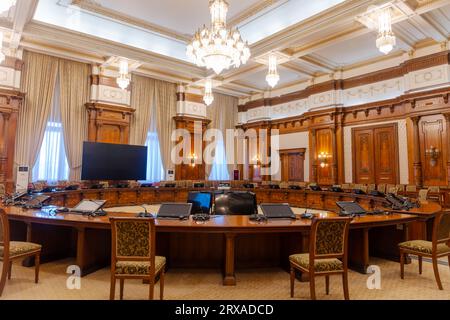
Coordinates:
109	123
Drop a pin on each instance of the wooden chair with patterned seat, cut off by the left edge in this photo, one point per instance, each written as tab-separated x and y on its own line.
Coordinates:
14	250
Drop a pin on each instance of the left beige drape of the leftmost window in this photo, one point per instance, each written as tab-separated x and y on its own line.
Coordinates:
38	82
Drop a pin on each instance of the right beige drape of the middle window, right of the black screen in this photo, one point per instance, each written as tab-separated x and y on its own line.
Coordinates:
166	109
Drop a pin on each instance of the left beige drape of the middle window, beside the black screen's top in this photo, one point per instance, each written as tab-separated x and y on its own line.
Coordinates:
143	100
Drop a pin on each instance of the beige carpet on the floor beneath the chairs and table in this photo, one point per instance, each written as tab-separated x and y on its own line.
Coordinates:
207	284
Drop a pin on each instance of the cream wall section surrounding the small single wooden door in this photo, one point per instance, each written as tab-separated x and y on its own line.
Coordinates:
293	141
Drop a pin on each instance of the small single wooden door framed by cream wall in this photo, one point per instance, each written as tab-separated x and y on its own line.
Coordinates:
292	164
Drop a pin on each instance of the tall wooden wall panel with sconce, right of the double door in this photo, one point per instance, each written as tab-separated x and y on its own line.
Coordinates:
432	131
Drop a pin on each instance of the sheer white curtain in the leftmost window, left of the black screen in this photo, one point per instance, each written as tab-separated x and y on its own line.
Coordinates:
51	164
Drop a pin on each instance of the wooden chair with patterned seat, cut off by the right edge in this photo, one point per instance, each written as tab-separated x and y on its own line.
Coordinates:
438	247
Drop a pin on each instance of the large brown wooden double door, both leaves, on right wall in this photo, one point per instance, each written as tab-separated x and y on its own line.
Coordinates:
375	154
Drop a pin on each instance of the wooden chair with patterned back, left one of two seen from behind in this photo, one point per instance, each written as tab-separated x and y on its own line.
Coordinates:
133	254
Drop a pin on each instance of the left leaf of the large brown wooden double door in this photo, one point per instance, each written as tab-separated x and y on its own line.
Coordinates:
362	149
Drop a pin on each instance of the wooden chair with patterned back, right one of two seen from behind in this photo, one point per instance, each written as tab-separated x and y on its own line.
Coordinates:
328	251
